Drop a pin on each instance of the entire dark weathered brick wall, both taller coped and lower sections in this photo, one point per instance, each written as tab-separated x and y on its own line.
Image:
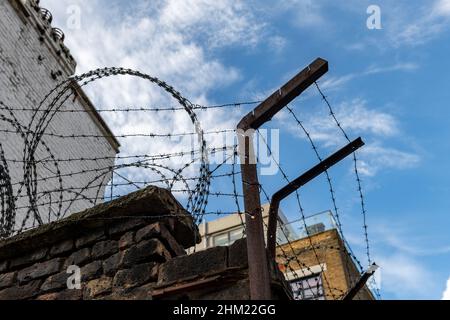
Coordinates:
131	248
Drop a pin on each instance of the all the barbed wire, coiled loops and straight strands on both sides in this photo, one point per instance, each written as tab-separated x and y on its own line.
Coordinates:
60	200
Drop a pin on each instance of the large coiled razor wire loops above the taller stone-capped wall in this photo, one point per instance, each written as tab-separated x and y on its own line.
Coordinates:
33	136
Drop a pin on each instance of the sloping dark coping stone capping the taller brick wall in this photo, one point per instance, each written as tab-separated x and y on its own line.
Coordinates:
143	204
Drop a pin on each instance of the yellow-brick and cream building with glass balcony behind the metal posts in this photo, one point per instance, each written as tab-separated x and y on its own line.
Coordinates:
310	253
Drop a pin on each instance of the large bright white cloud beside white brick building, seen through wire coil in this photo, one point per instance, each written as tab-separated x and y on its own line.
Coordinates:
171	40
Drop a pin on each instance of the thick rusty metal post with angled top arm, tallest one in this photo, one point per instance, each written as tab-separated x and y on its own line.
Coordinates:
257	257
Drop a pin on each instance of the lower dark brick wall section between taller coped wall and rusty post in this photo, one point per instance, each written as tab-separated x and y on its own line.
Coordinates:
219	273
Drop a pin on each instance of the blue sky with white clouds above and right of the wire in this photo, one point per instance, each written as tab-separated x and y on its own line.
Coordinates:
389	86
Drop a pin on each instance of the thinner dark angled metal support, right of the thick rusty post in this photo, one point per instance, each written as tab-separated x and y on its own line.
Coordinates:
298	183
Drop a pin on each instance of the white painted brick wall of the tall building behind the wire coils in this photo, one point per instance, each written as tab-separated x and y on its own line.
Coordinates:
24	81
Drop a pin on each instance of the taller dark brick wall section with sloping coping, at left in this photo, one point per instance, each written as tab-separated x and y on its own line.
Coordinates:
119	247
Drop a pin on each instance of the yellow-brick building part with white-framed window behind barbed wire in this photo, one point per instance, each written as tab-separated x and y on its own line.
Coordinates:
319	267
